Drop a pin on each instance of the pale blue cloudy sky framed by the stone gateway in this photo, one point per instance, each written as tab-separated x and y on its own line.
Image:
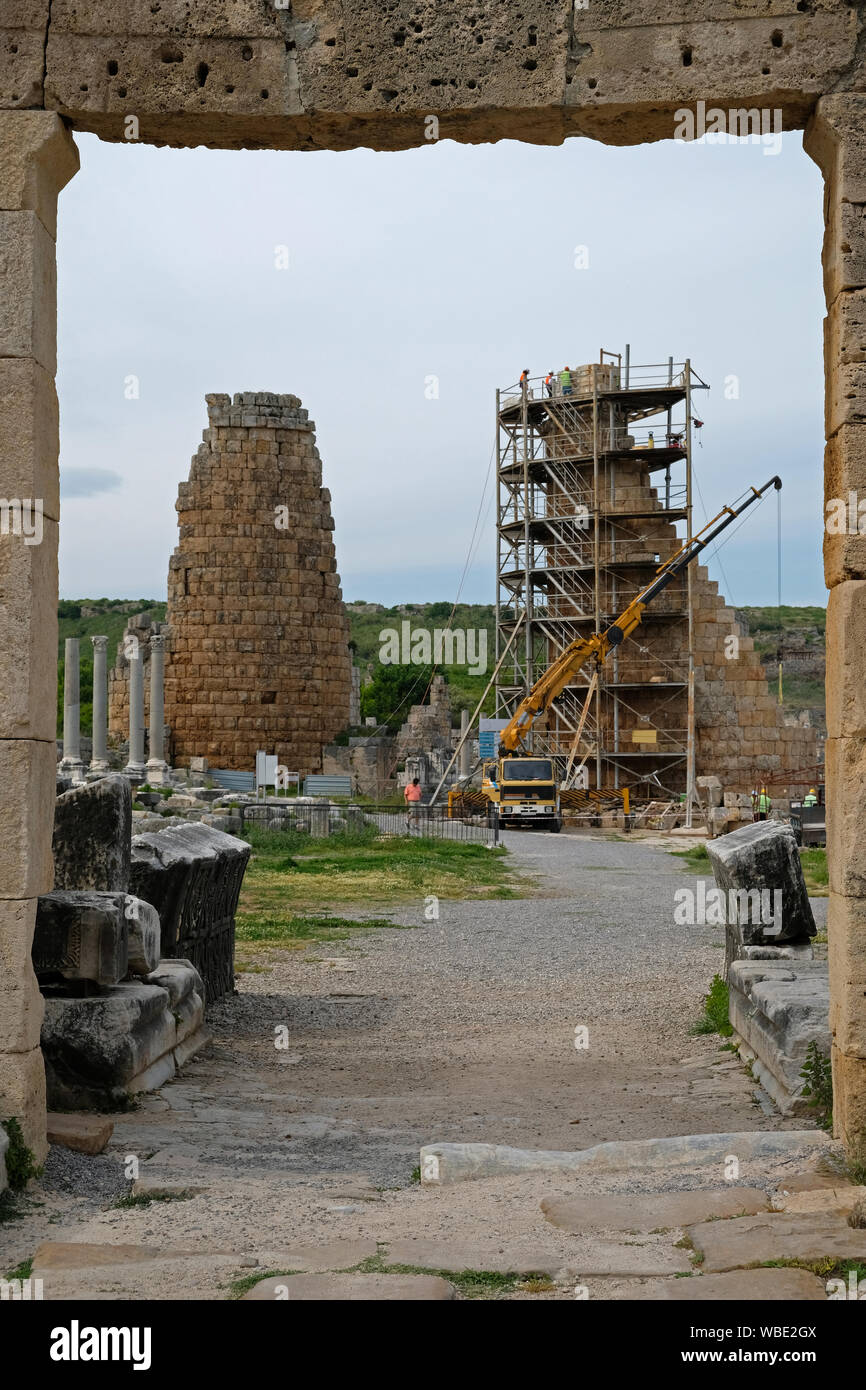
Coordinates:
457	263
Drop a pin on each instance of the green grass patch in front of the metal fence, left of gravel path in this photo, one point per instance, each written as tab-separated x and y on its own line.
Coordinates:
291	875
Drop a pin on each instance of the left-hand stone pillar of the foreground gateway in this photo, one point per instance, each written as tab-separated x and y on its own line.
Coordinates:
37	159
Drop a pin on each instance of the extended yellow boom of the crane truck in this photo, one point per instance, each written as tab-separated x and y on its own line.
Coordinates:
601	644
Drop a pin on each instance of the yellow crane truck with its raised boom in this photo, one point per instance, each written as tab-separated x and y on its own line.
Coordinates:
525	789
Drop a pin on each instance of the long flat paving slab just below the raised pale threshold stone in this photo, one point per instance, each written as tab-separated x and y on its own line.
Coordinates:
654	1211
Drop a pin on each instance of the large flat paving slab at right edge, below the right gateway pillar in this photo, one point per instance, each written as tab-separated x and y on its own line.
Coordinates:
747	1241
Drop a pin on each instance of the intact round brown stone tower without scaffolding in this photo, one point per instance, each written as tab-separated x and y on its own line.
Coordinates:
259	654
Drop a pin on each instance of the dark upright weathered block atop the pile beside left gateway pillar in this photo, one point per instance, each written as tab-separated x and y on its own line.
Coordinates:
94	836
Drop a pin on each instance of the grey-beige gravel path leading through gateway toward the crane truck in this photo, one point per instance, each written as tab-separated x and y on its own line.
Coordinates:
459	1029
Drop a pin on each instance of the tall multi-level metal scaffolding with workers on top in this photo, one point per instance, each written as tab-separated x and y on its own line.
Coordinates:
594	487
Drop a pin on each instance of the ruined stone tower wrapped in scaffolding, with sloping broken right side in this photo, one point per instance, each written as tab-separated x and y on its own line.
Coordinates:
594	480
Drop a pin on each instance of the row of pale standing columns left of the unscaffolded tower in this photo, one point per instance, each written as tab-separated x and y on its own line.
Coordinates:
156	768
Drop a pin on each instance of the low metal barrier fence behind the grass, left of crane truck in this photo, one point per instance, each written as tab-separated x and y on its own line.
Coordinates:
326	818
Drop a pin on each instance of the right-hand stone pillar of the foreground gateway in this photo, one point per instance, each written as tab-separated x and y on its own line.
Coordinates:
836	138
